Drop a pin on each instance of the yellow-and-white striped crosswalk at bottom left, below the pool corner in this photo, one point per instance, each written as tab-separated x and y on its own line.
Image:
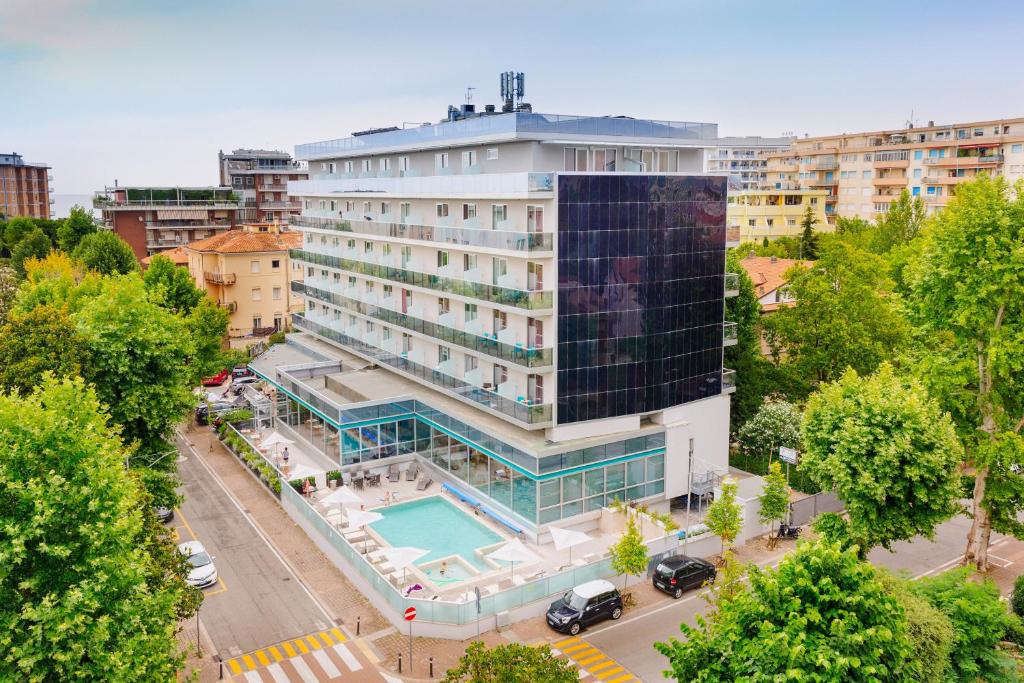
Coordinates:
325	656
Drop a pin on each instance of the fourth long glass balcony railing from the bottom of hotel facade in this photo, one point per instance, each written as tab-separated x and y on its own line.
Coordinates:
529	242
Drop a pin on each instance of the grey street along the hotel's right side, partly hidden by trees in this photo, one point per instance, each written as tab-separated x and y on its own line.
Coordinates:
629	641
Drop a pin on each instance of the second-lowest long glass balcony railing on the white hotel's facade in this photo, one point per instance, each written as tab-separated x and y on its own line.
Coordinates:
530	358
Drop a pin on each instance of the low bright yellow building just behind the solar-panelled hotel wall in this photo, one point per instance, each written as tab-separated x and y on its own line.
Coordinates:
776	214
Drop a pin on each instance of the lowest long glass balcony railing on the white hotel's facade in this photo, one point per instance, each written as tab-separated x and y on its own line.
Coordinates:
521	411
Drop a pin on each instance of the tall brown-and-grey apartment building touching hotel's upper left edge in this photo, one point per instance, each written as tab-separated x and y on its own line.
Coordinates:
261	179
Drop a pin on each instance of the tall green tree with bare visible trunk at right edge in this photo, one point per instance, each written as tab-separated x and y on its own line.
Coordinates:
966	301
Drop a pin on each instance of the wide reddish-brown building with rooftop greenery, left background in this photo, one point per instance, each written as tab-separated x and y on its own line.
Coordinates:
156	220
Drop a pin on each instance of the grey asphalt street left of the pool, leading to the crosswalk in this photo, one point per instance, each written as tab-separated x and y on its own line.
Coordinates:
259	602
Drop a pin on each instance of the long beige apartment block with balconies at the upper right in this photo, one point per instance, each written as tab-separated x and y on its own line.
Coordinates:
865	173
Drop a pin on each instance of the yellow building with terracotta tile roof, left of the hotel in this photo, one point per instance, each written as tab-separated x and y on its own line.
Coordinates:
248	272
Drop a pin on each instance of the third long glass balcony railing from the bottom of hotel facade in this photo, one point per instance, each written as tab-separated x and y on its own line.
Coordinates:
502	295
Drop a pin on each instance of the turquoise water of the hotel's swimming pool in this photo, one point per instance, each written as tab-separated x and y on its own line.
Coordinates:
436	525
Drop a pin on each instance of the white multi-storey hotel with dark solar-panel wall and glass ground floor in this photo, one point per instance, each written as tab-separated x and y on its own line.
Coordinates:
532	305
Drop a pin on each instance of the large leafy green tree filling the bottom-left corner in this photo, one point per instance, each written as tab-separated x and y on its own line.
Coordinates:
84	600
